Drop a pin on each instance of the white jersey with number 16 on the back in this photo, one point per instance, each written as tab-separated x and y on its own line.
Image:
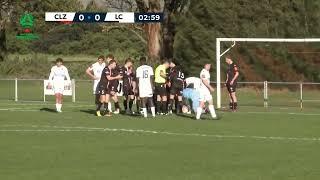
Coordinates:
144	74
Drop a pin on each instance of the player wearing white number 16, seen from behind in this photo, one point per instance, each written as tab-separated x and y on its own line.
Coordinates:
144	74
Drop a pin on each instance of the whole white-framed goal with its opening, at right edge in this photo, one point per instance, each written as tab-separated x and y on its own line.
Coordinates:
276	72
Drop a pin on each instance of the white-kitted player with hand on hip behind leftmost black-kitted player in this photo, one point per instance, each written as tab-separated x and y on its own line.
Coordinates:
94	72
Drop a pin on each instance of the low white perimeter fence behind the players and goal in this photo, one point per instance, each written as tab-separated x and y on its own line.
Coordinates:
286	94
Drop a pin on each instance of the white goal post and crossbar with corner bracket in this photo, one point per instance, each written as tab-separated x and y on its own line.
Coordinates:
234	40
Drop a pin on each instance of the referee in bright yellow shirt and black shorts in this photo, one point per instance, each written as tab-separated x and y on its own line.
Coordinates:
160	87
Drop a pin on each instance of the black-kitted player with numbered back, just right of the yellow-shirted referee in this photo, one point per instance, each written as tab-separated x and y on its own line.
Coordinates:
176	81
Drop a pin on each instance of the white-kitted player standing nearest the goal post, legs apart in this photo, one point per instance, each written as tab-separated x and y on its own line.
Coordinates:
205	91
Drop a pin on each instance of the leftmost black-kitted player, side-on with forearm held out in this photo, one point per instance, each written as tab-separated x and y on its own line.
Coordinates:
106	77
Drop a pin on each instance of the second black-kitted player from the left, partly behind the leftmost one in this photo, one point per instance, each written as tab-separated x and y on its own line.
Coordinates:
113	87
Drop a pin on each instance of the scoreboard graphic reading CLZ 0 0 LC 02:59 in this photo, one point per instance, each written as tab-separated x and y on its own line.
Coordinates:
115	17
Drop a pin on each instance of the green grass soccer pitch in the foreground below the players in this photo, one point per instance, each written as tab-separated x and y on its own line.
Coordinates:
254	143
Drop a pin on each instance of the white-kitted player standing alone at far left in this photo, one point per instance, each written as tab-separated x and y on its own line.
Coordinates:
57	76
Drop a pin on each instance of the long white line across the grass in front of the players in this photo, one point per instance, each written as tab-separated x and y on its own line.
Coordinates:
93	129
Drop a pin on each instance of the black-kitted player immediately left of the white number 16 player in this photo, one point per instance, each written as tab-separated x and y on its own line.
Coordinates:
129	85
